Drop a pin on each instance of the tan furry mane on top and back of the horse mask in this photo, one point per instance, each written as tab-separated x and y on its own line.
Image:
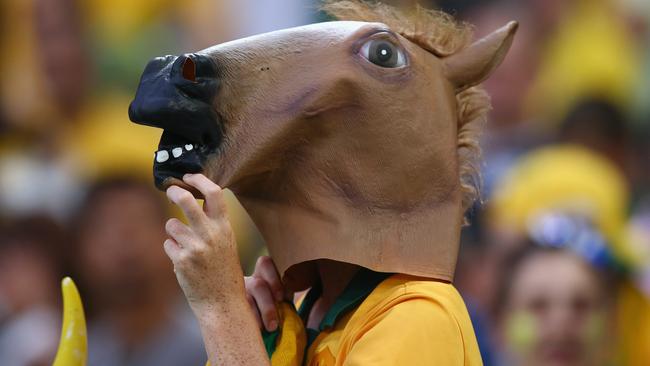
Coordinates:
440	34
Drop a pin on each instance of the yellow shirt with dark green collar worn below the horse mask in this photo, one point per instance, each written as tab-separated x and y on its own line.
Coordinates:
381	319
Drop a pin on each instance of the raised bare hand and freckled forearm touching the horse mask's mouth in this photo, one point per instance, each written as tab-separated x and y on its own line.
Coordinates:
207	267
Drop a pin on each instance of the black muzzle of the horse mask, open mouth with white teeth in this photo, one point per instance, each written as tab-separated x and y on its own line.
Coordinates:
176	93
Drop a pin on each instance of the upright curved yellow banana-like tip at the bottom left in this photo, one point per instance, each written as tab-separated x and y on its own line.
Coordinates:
73	346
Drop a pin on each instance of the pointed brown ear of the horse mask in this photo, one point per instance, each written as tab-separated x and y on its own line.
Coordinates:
474	64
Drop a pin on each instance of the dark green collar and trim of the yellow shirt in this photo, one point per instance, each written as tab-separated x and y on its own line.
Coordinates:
361	285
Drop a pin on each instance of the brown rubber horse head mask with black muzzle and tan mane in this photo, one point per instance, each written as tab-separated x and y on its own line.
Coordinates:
351	140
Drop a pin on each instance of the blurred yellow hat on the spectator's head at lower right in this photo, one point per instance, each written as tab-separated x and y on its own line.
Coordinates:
560	178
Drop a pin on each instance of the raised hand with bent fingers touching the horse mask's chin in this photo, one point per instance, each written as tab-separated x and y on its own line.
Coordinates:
204	252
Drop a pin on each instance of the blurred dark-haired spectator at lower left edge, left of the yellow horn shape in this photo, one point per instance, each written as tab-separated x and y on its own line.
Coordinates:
30	270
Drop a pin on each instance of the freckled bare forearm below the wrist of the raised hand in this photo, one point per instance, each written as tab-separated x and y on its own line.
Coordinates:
231	334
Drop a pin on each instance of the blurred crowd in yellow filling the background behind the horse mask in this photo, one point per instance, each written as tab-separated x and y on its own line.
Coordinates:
555	266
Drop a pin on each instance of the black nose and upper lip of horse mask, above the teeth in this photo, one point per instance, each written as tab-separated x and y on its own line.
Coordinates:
176	93
